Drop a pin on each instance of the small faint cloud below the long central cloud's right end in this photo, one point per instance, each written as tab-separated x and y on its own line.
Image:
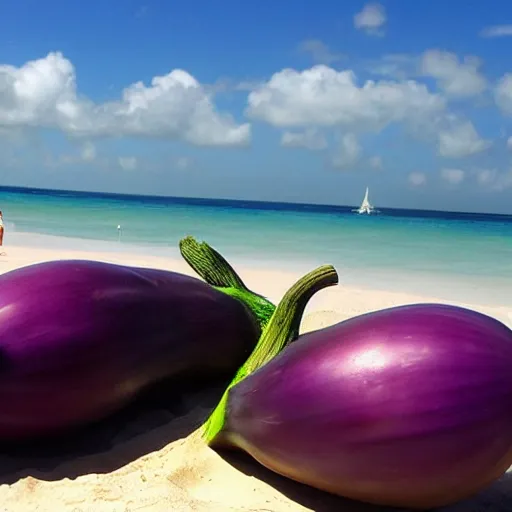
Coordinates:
461	140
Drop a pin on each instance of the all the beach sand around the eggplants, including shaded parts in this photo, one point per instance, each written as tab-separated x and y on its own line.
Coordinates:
153	460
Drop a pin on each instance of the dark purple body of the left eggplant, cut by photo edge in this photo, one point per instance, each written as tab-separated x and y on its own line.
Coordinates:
80	339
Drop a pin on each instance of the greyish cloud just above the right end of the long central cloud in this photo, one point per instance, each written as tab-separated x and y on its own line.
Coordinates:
457	78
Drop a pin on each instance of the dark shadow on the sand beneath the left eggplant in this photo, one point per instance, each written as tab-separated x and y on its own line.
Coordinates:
160	416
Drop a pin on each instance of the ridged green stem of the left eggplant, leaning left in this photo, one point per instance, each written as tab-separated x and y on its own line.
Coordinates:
214	269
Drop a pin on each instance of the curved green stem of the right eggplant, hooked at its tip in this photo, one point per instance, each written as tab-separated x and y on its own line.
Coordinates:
281	330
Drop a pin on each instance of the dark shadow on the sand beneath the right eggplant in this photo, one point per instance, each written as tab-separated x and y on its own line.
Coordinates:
497	498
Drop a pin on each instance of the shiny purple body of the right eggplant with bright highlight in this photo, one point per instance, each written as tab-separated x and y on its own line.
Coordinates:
408	407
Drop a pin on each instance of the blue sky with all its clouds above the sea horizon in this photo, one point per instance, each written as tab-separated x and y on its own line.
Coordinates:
277	101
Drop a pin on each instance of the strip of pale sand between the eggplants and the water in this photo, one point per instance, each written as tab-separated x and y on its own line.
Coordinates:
329	306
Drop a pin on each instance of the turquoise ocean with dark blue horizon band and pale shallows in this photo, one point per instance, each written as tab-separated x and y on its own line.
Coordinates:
454	256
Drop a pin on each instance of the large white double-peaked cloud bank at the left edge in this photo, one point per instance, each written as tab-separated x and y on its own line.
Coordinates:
43	93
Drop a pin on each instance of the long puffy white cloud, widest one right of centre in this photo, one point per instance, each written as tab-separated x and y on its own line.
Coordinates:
322	96
